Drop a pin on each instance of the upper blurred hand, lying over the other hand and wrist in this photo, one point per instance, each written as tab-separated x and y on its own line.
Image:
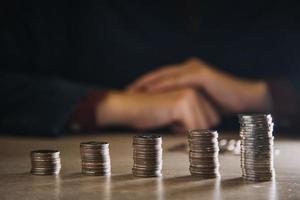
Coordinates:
230	93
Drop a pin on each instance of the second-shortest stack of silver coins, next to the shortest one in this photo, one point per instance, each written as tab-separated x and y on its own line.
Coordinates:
95	158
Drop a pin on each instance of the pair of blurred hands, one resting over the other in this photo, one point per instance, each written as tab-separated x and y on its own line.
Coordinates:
189	95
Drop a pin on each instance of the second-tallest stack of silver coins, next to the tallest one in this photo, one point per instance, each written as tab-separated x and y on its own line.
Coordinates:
204	152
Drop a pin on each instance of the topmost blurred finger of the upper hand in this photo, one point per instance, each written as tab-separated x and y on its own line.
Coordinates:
153	76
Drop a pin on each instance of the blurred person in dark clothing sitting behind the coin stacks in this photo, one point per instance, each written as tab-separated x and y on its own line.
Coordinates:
66	64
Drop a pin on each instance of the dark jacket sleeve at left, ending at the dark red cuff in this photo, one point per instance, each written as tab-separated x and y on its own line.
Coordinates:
36	105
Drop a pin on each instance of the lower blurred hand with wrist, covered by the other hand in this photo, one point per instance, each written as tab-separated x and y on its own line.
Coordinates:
183	108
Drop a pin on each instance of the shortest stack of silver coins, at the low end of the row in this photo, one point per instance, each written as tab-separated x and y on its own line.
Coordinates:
45	162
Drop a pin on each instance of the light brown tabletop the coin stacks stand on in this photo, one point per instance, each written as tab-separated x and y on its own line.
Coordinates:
176	183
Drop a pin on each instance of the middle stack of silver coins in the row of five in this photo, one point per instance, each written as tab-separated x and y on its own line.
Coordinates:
147	156
